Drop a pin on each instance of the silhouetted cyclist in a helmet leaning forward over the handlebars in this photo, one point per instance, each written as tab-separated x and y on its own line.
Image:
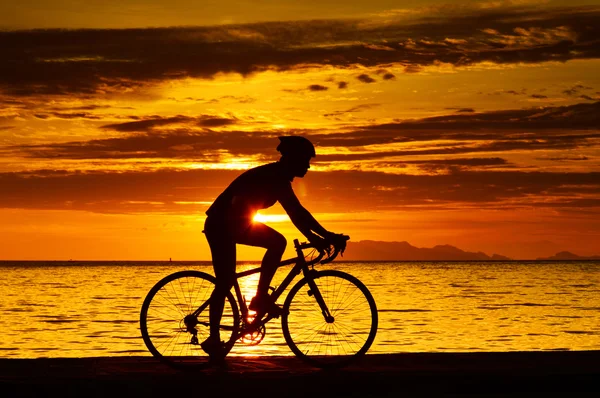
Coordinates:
230	221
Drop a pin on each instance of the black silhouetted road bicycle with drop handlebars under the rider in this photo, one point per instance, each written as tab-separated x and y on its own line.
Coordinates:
329	317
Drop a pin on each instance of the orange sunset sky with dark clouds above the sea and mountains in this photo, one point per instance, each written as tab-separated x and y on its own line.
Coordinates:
475	124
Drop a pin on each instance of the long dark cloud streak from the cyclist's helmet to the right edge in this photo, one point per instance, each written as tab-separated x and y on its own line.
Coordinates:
542	128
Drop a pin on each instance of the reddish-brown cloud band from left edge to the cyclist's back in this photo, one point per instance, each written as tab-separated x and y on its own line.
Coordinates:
111	192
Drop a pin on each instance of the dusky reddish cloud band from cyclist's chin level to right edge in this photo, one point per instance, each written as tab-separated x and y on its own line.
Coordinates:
478	188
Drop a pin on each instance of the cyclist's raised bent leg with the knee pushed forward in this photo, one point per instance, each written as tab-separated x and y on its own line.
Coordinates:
260	235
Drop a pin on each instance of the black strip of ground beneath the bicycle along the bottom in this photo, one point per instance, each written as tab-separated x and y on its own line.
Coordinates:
423	374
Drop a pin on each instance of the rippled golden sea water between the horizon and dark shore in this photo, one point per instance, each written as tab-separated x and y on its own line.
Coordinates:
90	309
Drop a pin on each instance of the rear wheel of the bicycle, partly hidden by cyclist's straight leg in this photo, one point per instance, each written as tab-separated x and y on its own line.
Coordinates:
170	325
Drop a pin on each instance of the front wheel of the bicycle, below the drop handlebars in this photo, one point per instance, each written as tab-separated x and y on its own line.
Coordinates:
323	341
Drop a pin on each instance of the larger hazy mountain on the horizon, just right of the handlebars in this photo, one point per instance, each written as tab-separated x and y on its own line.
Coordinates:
369	250
